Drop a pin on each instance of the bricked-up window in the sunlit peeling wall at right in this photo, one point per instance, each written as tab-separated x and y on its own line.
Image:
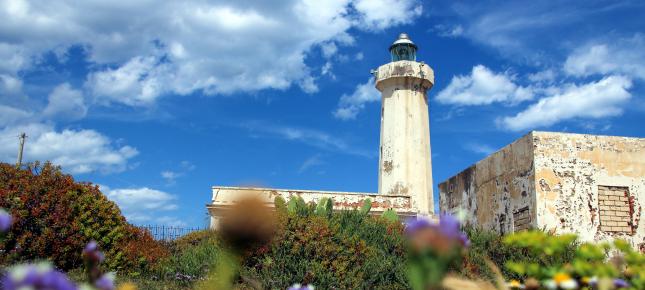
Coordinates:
615	213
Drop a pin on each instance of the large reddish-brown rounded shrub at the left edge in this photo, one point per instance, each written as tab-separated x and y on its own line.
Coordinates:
55	216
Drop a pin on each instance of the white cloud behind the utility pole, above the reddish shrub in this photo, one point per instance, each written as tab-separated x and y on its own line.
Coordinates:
77	151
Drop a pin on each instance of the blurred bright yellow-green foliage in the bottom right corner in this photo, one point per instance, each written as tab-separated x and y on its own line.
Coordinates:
588	267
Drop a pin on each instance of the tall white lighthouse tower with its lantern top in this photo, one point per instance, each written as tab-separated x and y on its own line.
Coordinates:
405	167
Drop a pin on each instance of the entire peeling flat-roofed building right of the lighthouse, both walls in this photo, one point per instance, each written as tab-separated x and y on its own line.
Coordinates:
590	185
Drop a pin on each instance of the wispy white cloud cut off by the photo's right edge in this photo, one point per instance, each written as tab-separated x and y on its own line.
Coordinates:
623	56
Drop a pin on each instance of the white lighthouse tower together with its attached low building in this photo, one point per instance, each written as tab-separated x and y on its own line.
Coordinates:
405	168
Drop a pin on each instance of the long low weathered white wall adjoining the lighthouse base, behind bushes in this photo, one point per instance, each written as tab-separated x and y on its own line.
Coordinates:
224	197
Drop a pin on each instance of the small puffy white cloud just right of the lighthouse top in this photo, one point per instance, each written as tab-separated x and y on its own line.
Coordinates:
483	87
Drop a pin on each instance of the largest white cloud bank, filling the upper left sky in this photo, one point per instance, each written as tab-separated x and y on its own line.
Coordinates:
142	50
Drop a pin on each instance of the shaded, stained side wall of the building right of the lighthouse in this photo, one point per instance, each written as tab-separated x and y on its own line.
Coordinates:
498	192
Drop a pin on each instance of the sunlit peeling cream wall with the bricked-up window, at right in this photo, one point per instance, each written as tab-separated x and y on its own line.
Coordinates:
570	170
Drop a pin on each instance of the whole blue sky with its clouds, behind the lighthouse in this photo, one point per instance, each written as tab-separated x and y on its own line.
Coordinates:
157	102
